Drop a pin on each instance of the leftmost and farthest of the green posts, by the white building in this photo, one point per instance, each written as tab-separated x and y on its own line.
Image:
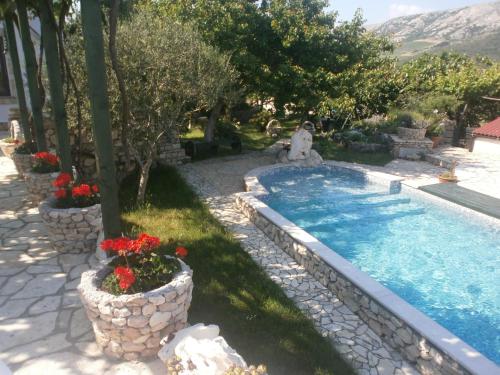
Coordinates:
16	67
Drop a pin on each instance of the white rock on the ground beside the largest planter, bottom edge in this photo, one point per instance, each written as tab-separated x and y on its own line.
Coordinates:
199	350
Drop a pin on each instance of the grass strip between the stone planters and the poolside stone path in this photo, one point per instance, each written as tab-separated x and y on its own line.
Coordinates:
255	316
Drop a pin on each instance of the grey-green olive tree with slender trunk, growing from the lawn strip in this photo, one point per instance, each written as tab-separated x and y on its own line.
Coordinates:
169	70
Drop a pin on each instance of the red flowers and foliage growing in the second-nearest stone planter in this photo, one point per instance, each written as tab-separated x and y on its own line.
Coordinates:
70	194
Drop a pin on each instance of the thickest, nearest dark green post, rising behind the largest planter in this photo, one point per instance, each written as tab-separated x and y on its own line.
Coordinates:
98	95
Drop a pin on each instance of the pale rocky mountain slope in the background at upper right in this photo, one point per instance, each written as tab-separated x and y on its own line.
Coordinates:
472	30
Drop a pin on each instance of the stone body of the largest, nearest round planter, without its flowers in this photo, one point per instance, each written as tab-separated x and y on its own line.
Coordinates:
131	326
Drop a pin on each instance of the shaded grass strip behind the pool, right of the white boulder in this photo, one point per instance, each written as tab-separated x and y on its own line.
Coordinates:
333	151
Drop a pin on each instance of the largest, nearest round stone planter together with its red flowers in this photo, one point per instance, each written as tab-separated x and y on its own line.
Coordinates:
140	297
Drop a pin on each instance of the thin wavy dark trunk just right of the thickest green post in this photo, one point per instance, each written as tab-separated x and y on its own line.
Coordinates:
113	19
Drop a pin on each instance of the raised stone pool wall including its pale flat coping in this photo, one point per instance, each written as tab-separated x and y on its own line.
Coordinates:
423	342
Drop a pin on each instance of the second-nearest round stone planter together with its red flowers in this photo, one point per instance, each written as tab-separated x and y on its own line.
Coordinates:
73	215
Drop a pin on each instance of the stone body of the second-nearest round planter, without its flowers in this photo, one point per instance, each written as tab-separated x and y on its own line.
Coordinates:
71	230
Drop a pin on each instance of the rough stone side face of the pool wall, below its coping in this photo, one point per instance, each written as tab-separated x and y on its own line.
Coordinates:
415	348
